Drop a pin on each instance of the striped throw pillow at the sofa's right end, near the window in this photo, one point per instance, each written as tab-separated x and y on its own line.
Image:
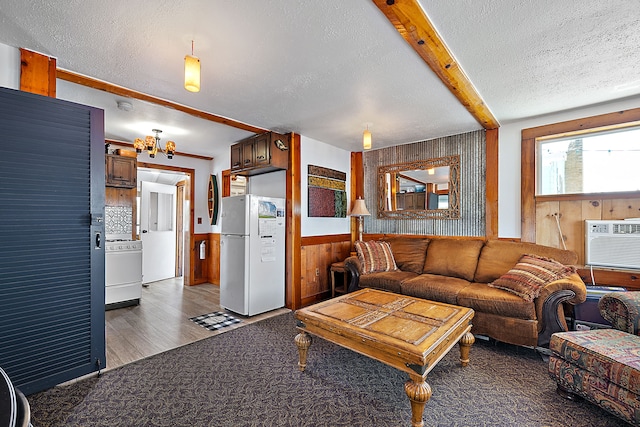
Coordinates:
529	276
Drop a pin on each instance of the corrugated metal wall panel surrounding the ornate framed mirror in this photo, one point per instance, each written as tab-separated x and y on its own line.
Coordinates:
472	150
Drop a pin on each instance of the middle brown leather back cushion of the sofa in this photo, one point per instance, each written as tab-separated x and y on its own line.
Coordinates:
453	257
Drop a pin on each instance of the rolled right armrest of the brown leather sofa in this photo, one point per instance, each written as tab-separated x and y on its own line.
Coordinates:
549	309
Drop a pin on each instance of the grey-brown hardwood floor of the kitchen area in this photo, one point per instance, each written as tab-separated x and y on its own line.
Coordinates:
161	321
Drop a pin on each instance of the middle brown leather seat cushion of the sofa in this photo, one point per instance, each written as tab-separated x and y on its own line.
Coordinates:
434	287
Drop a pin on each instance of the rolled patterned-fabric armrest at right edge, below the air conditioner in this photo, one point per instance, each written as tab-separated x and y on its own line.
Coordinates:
621	309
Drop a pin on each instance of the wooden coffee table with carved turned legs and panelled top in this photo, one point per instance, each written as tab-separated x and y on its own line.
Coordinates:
409	334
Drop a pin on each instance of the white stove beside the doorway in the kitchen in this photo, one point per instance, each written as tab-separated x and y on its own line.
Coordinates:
123	273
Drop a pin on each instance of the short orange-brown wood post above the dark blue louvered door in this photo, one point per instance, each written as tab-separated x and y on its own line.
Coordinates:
37	73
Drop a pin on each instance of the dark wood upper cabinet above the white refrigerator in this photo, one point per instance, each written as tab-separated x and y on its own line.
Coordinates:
260	154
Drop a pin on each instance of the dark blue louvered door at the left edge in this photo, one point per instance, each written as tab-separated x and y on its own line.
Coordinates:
51	256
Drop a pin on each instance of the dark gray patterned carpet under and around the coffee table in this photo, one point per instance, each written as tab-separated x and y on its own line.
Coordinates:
249	377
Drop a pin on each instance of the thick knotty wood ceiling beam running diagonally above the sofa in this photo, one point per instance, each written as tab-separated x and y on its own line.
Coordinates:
414	26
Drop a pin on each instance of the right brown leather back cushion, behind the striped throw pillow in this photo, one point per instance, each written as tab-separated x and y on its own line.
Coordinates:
498	256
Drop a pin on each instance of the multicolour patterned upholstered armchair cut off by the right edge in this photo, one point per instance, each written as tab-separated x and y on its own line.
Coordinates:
603	365
